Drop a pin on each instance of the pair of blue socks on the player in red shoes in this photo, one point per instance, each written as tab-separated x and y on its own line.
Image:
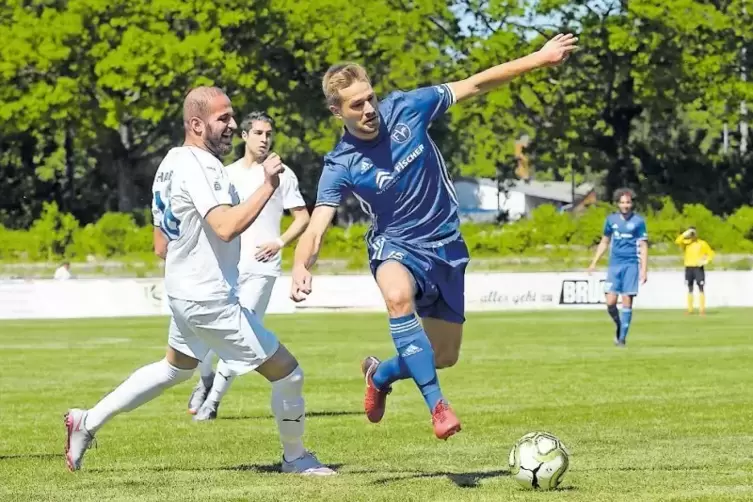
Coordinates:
415	360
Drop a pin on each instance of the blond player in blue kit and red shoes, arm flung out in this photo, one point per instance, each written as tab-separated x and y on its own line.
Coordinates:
387	160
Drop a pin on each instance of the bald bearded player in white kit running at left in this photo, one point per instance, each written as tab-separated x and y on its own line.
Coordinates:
197	209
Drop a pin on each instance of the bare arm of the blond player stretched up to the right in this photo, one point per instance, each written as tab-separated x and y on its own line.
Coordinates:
554	52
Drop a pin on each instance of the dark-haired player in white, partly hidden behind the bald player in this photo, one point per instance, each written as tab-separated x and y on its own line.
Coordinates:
261	245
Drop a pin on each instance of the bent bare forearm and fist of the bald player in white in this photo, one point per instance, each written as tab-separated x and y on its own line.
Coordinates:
228	222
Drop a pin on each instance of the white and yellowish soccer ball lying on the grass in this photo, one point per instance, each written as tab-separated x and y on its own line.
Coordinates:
539	460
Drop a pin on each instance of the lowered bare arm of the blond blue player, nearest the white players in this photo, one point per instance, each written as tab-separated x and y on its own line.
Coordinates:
307	250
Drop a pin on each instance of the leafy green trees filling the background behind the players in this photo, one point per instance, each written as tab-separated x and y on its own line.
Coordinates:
91	90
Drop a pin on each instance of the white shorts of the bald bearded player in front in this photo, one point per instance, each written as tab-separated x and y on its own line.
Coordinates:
227	328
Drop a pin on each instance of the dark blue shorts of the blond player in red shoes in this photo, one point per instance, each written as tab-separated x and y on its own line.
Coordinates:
439	274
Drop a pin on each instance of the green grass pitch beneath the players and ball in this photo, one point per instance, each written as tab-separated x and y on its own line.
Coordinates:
669	418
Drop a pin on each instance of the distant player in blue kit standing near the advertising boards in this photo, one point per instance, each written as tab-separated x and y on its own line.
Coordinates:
626	235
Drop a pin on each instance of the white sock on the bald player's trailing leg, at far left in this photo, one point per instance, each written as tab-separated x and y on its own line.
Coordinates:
142	386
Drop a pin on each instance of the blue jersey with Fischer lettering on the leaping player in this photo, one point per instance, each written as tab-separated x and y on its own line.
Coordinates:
399	177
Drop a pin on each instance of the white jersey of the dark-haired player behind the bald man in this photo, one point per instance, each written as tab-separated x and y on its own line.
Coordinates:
266	227
